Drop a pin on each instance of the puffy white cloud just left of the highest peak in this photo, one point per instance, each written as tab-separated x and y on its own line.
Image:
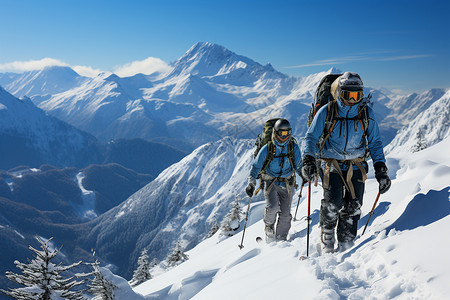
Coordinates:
146	66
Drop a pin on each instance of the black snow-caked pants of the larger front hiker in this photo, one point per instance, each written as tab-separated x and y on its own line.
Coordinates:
338	209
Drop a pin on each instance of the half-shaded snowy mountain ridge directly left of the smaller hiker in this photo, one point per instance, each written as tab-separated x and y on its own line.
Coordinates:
181	203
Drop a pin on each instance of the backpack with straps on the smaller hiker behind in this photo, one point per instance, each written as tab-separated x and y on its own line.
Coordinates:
266	138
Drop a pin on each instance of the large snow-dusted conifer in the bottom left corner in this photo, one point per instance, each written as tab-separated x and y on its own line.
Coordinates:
42	278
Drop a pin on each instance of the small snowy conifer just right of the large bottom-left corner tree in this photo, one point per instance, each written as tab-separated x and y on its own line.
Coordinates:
99	286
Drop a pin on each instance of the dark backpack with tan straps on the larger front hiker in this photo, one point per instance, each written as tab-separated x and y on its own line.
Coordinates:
322	97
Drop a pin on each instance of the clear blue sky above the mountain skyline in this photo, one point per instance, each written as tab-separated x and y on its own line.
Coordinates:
400	45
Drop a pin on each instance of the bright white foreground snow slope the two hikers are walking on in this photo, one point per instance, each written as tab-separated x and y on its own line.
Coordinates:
402	255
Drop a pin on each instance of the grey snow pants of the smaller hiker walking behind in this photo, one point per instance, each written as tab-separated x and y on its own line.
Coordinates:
278	203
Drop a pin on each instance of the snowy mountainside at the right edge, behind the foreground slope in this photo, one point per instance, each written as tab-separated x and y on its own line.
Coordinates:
430	125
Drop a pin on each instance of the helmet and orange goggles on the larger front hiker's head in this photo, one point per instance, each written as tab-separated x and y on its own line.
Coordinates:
348	88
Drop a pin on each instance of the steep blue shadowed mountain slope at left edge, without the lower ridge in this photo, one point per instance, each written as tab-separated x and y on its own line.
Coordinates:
29	135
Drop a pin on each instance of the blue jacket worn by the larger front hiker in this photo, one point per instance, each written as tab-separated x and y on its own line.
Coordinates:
347	140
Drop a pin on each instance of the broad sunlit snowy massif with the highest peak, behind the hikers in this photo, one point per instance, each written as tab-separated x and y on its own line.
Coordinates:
210	93
